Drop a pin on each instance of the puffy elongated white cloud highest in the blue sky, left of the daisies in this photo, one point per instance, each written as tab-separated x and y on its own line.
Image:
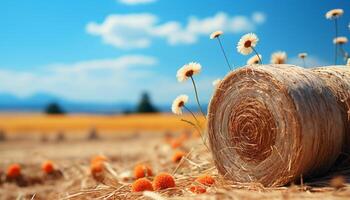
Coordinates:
138	30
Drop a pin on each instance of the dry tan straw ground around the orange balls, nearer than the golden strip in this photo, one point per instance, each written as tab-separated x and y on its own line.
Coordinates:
124	151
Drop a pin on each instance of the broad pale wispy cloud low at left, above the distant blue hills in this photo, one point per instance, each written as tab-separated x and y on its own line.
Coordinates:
96	80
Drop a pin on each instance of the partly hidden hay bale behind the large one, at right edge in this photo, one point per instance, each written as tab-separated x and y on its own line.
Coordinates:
337	78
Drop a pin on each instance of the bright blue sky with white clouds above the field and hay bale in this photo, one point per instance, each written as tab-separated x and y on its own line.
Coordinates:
111	50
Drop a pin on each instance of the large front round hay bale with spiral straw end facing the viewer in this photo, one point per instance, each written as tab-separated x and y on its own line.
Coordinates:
273	123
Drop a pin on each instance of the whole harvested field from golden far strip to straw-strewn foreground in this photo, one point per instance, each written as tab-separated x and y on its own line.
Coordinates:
71	141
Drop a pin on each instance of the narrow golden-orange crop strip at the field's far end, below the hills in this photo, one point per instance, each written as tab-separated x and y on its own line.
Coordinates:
44	123
